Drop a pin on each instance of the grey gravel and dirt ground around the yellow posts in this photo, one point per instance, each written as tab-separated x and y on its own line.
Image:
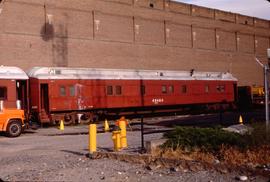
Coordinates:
50	155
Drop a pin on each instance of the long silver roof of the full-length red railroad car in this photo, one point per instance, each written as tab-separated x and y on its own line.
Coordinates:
123	74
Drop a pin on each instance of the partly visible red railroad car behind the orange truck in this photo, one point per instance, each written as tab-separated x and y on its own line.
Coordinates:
13	87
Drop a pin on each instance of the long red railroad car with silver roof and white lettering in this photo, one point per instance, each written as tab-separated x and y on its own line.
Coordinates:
63	93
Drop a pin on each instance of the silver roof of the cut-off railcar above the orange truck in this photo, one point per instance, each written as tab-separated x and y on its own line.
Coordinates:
10	72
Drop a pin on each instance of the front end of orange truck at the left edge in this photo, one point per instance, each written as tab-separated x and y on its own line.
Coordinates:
12	121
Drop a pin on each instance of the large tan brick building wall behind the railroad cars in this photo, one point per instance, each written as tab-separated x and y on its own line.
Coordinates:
137	34
